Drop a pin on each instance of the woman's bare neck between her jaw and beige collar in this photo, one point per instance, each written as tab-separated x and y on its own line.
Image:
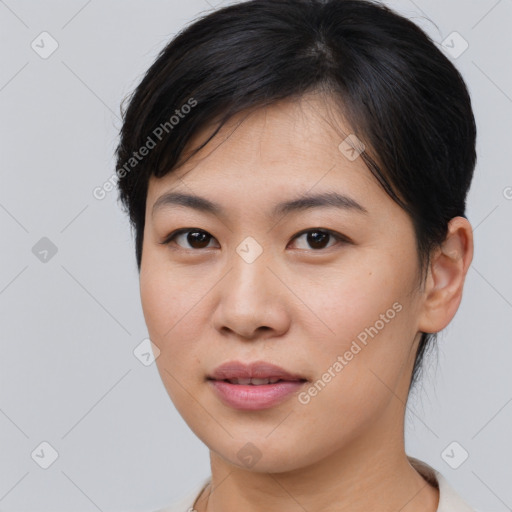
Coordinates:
365	476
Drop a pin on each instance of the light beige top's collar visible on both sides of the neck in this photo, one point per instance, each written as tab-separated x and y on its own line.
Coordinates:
449	500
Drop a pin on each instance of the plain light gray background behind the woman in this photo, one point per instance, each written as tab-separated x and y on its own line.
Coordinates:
69	326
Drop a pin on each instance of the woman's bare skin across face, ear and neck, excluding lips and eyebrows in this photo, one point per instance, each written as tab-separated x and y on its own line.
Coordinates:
297	306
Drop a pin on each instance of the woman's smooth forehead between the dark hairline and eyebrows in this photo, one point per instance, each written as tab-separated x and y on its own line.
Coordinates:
289	145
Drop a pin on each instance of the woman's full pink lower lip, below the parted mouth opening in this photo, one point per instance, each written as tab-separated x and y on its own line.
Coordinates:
251	397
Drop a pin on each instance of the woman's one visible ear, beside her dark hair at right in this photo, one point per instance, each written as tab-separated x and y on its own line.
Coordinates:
446	275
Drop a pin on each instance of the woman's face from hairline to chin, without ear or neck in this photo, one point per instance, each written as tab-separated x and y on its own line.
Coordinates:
248	284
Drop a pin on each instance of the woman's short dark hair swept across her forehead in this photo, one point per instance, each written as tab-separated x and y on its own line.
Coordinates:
403	98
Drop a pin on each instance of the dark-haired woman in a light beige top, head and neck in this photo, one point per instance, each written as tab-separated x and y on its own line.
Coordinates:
296	173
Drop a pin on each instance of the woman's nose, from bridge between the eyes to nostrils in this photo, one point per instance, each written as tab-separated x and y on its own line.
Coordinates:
252	301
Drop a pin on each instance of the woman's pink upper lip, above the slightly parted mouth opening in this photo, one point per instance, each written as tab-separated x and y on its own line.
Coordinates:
255	373
